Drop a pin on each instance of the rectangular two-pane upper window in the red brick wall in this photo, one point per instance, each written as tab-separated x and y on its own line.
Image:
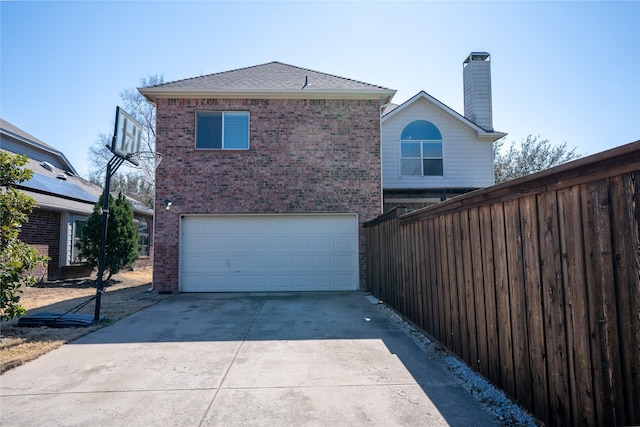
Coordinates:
222	130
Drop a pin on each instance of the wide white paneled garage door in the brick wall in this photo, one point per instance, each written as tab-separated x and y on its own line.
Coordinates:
235	253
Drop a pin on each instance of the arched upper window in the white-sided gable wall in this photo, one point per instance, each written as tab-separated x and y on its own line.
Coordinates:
421	150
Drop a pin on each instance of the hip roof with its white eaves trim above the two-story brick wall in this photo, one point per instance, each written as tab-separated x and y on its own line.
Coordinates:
273	78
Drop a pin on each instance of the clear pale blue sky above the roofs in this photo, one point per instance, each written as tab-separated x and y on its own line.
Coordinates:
567	71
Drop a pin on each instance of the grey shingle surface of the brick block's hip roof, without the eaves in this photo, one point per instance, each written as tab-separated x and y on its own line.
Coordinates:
272	76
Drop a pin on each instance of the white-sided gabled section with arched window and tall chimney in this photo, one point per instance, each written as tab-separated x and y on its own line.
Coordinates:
430	152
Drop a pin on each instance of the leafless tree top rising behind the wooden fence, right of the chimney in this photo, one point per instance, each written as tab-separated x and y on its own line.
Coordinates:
532	155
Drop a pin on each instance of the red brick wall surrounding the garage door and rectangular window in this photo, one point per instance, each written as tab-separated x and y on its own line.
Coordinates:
305	156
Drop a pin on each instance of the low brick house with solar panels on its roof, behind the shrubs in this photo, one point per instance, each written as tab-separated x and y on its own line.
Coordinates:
64	200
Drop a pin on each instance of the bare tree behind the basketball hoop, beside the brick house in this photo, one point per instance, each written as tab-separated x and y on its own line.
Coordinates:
135	182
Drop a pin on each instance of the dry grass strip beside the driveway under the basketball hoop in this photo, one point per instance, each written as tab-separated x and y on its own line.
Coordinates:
125	293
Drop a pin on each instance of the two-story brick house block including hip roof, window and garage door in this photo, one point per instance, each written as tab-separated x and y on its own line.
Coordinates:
268	174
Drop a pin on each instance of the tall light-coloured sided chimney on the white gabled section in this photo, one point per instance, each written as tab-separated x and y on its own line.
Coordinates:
477	89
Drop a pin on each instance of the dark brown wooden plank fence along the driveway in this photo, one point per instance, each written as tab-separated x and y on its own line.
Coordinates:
534	283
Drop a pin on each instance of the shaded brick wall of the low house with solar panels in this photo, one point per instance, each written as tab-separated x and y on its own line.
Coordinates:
43	233
